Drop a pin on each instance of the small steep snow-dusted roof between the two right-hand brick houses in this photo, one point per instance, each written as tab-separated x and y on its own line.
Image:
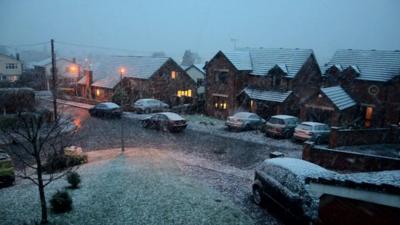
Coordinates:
339	97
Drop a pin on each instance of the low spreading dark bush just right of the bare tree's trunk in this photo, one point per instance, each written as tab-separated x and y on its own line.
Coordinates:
61	161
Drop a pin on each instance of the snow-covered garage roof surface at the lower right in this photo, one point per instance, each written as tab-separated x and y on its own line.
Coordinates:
383	181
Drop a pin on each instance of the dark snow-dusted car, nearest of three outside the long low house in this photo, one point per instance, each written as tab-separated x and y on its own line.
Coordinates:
165	121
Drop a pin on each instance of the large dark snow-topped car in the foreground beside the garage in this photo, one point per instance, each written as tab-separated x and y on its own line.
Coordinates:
281	182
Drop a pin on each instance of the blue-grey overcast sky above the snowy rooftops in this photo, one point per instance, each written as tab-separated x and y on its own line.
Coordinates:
205	26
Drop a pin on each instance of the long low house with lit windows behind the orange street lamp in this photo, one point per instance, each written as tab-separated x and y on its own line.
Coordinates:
145	77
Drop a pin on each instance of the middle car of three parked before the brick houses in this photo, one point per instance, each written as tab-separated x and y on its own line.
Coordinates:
281	126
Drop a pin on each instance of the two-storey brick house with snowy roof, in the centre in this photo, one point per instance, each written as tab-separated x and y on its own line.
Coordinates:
265	81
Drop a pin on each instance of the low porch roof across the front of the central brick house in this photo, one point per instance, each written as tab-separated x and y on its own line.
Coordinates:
271	96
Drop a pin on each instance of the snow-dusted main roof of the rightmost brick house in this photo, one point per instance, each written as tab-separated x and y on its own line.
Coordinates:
373	65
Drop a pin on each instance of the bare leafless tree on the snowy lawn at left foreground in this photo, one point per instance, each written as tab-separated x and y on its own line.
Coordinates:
37	138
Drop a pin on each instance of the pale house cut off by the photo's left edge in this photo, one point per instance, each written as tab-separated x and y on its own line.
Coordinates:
10	68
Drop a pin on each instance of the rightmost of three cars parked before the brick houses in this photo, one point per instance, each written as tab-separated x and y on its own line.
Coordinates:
314	131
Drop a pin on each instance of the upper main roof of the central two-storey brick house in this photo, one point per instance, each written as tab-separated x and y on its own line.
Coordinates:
261	60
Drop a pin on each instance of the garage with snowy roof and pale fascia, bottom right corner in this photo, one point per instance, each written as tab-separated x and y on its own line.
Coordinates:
358	198
